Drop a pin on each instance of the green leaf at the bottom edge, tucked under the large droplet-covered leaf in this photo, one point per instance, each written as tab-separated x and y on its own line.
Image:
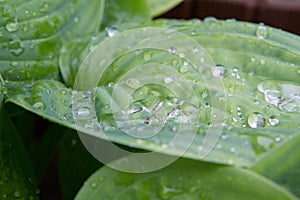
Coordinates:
183	179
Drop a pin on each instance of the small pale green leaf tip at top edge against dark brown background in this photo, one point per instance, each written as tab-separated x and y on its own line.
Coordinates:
158	7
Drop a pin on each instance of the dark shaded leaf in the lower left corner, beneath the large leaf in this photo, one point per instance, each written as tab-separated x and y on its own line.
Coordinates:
16	176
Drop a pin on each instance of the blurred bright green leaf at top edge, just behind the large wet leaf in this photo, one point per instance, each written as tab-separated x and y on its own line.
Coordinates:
119	11
